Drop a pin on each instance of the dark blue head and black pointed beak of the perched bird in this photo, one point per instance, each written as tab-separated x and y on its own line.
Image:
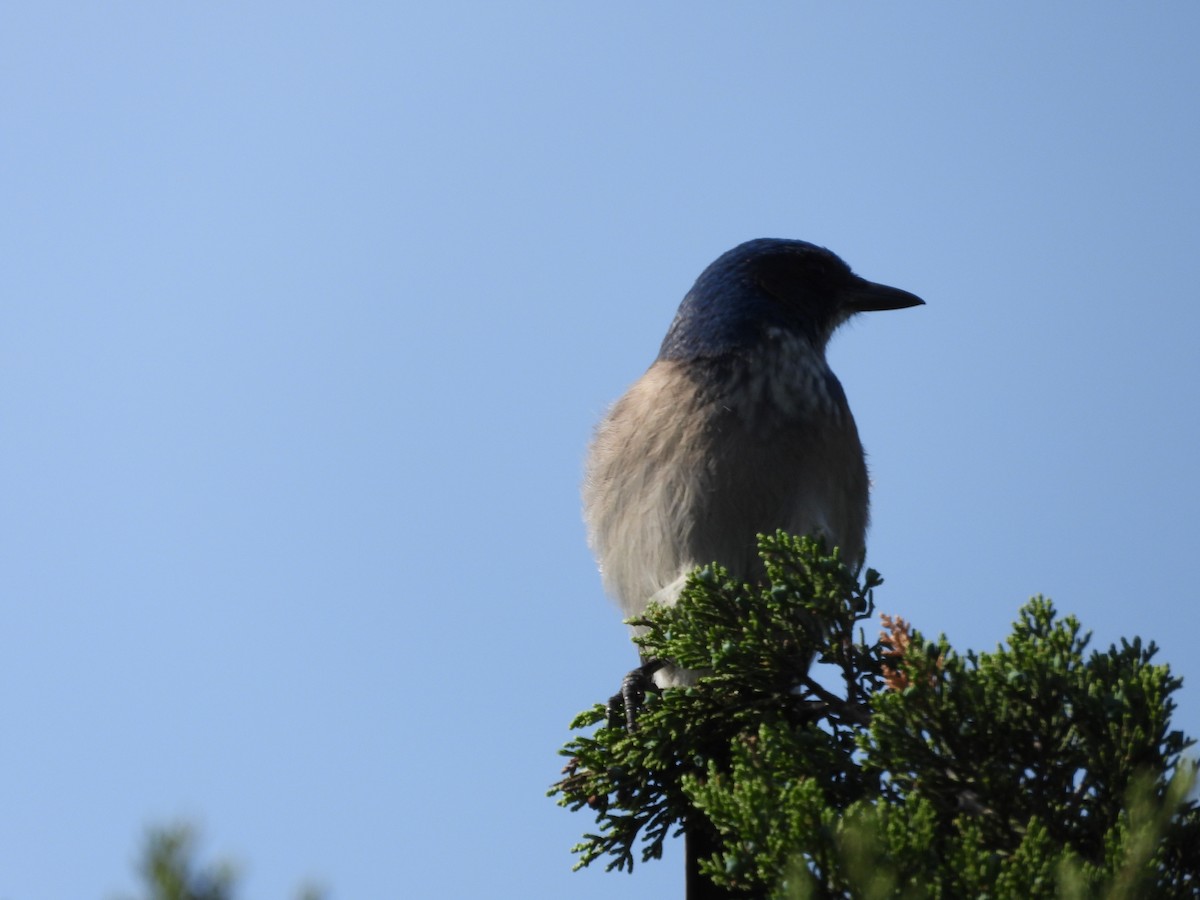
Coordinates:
771	285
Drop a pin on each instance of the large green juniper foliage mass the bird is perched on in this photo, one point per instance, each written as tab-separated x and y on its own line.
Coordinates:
897	769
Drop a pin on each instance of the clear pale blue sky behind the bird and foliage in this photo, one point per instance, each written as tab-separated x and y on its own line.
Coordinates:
309	313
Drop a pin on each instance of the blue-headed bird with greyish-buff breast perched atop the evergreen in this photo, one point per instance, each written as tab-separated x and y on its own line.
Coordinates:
740	428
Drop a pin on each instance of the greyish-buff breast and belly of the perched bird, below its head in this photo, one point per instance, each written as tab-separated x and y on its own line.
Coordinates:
695	461
